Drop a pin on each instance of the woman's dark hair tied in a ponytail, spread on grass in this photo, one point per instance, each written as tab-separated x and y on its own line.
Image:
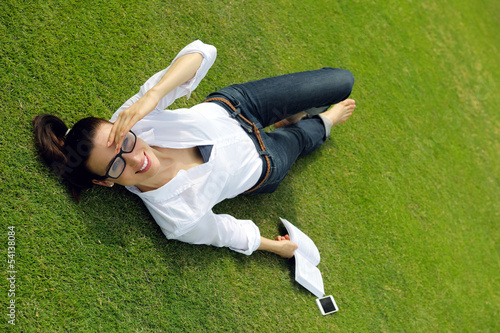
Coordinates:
68	153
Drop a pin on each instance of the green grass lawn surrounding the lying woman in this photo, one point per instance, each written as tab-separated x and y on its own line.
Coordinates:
403	201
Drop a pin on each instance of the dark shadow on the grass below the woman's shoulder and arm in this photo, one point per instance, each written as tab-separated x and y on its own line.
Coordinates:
118	219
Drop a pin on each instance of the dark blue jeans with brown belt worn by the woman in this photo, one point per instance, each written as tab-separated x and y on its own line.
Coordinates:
258	104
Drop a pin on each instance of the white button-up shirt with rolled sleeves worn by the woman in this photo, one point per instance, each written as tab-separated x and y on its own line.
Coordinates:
183	206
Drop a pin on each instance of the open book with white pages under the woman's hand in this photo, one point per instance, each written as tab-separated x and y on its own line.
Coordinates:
306	259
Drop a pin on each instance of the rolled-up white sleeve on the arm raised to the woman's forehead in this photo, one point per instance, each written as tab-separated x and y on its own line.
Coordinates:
209	54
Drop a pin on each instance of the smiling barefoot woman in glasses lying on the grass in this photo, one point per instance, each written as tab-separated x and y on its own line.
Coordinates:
183	162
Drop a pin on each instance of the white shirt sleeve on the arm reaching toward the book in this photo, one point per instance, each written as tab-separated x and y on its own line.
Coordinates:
222	230
